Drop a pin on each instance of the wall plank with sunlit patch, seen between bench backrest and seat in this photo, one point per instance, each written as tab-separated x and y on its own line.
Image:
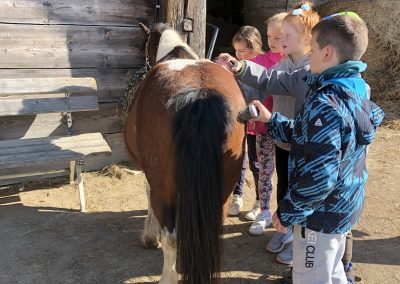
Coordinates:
104	120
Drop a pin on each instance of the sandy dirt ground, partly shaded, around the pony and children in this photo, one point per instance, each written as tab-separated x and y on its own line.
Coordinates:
45	239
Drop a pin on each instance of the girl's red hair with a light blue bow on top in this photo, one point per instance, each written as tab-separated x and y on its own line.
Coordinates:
304	20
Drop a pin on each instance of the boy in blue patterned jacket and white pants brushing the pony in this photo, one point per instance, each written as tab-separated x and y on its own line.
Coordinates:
329	135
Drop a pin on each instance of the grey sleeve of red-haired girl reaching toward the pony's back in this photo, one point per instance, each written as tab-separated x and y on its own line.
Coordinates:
273	82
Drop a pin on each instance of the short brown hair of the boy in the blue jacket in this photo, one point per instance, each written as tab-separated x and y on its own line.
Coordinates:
347	34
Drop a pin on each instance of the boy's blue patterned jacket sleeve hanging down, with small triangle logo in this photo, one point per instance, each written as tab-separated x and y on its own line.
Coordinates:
313	174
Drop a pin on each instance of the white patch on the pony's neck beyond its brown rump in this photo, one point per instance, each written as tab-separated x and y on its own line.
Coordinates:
168	41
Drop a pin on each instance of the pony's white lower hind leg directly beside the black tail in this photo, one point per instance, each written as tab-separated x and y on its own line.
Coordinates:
168	243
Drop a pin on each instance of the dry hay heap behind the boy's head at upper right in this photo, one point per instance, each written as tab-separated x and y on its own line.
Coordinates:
383	53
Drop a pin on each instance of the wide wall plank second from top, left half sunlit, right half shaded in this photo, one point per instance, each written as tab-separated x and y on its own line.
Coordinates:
38	46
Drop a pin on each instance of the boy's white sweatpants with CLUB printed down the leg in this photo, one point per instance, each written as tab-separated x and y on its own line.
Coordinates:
317	257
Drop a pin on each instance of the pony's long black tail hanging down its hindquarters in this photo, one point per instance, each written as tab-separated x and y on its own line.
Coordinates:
200	126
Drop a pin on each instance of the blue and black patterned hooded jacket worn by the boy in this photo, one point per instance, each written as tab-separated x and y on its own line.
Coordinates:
329	135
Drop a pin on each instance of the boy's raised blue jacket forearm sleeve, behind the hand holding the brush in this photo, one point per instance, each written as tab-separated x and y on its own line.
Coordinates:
280	128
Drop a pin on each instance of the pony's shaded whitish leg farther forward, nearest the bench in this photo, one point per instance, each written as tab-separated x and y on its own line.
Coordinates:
151	232
